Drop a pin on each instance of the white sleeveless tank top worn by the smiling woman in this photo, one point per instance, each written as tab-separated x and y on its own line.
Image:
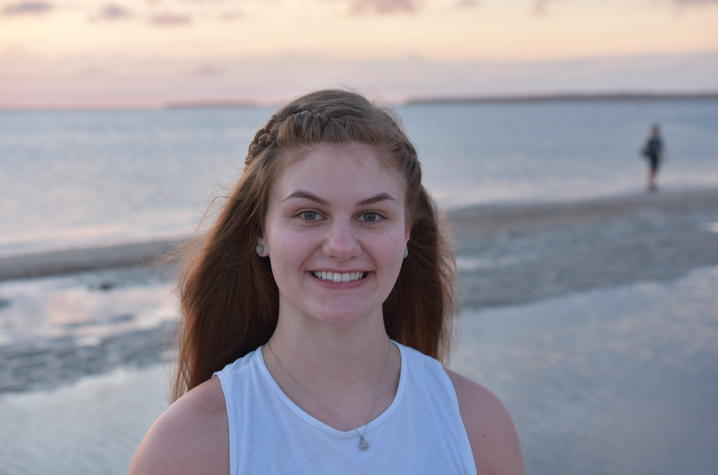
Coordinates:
421	432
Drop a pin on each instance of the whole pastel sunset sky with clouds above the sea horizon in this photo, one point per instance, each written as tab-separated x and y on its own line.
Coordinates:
130	53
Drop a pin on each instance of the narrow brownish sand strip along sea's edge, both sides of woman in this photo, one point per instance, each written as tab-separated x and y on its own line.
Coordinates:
467	223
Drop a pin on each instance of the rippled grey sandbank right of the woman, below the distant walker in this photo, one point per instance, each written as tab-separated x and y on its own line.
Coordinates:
537	251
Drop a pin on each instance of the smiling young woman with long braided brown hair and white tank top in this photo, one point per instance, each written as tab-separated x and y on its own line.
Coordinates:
320	301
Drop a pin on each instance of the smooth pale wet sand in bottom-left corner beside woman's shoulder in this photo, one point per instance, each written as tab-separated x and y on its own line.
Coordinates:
92	426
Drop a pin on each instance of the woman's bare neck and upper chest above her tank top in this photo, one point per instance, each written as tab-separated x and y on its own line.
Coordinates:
330	371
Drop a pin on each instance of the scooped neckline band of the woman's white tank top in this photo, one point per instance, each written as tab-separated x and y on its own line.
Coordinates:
313	421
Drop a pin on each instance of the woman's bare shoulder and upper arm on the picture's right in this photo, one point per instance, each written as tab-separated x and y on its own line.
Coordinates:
491	431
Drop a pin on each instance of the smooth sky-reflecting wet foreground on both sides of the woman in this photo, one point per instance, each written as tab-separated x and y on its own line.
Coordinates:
617	381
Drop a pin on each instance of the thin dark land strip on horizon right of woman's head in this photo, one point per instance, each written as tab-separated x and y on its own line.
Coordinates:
567	97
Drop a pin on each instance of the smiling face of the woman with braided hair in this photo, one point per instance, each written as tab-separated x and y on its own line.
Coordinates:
335	232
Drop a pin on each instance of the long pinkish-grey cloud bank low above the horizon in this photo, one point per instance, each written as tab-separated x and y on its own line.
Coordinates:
34	81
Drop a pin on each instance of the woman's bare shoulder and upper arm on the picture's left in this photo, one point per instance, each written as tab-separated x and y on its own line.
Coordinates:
190	437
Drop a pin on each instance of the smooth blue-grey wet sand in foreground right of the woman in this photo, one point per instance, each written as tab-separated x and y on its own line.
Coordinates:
618	381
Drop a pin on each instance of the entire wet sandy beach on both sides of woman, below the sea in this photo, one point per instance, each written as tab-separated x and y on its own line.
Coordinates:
593	320
